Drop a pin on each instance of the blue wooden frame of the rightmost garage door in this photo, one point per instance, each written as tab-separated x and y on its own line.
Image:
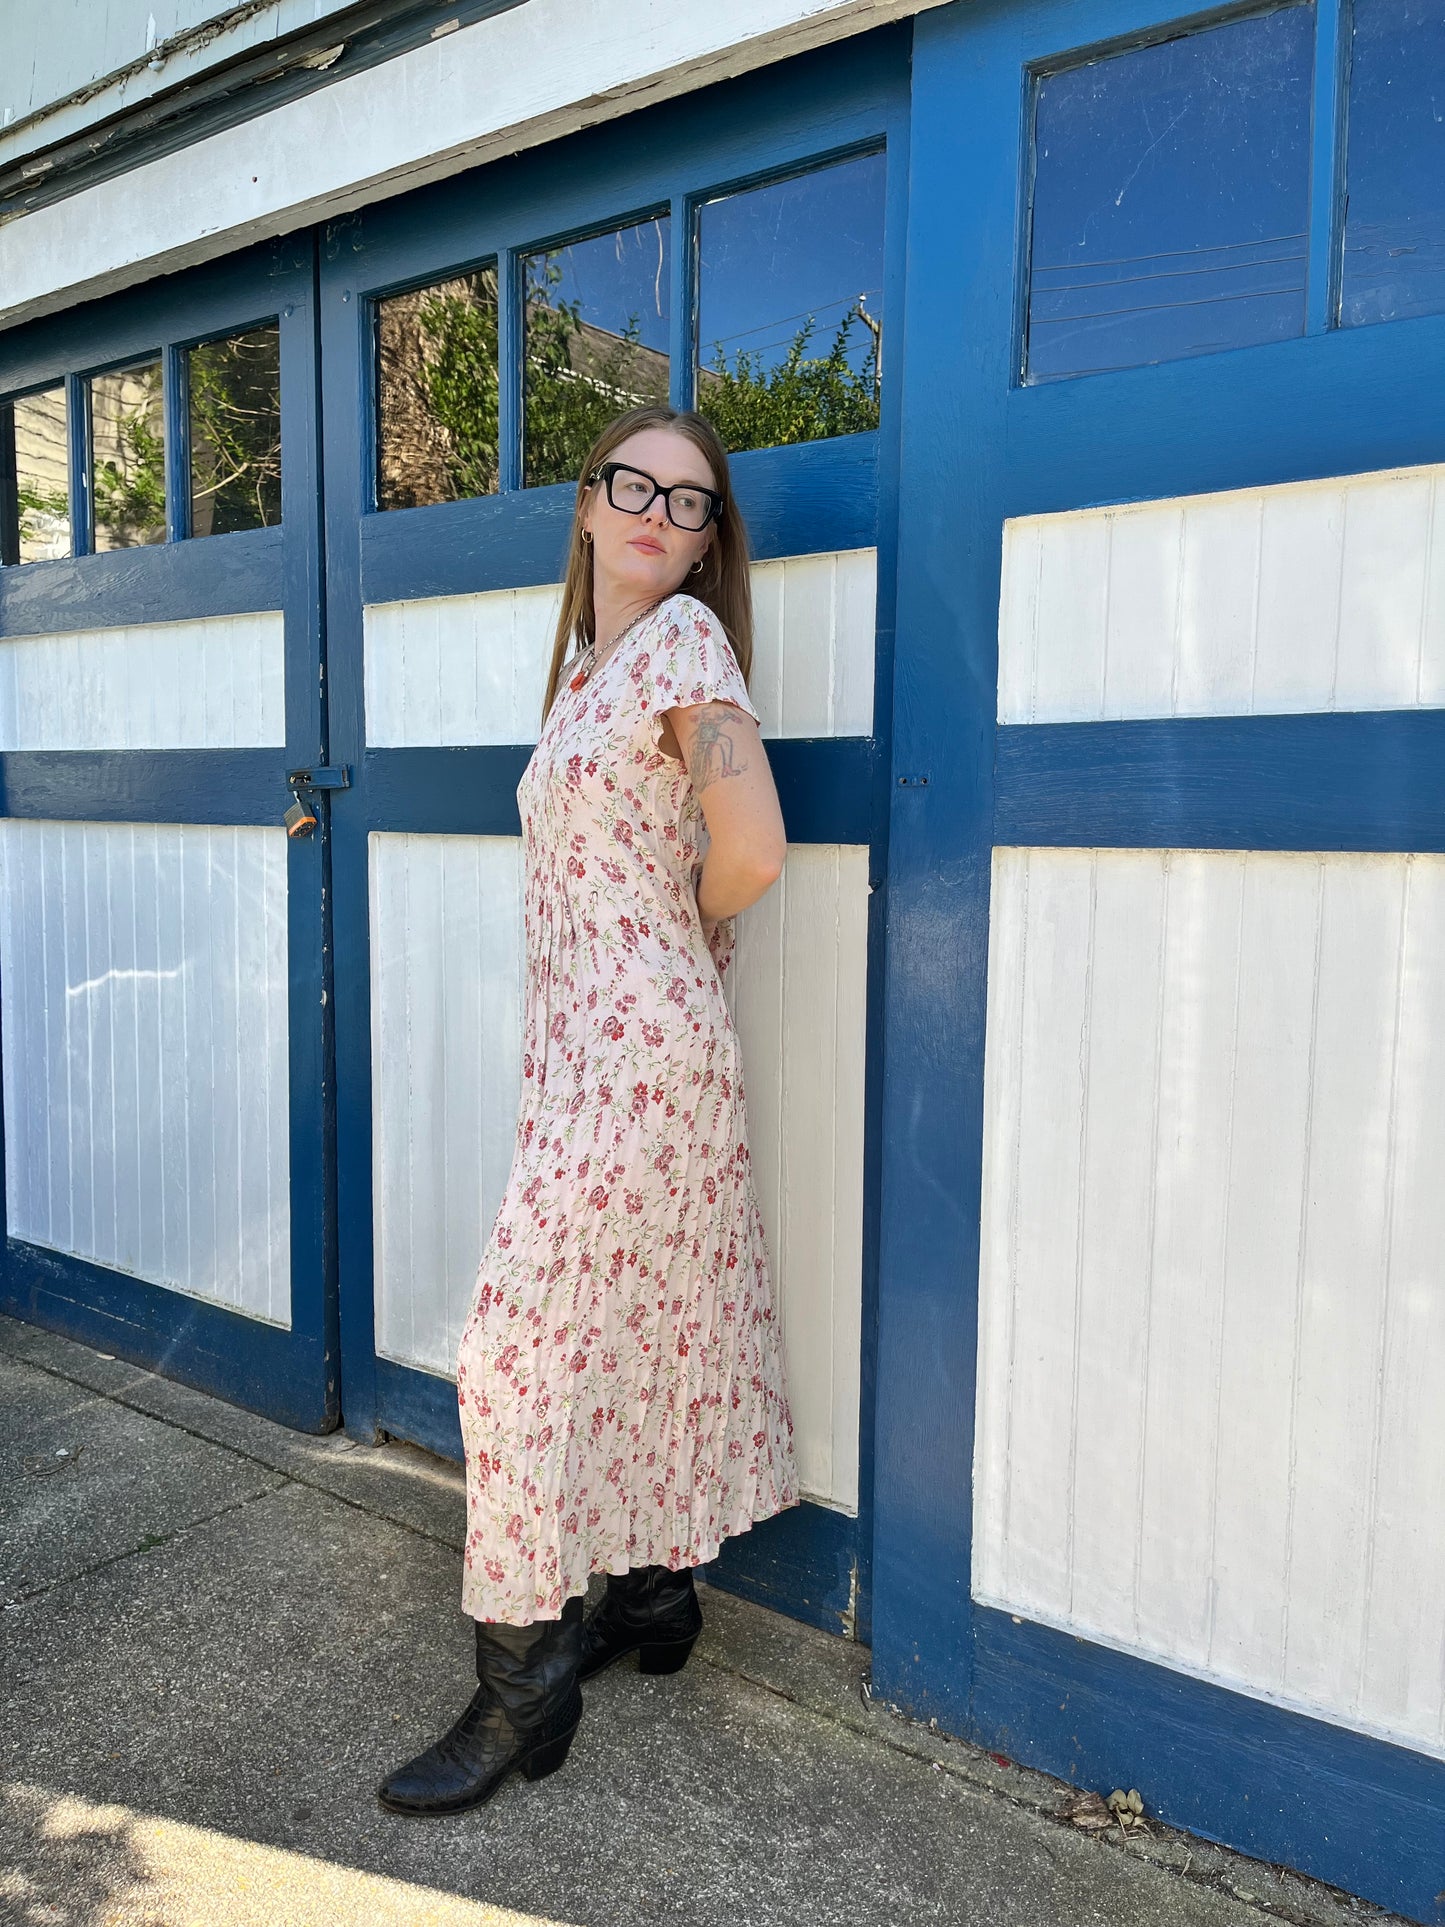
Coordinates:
978	448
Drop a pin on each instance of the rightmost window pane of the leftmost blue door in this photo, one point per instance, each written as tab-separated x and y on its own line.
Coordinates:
236	433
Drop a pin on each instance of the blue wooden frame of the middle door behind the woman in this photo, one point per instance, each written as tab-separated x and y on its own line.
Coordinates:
822	496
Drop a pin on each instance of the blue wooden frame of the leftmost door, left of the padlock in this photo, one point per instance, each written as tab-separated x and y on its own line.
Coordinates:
292	1375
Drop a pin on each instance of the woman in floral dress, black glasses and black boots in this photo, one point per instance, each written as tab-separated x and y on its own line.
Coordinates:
621	1373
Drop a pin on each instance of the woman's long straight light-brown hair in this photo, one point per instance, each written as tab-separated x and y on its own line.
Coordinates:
723	583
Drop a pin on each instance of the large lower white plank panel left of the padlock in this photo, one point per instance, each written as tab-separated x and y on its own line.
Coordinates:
145	1053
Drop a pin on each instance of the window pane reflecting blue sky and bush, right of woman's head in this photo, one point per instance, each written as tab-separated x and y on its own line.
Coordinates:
789	307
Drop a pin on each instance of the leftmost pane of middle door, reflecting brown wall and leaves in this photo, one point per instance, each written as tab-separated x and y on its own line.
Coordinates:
438	386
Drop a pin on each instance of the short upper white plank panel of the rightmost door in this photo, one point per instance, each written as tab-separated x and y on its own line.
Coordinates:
1305	596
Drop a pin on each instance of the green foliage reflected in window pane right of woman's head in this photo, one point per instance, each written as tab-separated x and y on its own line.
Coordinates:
801	400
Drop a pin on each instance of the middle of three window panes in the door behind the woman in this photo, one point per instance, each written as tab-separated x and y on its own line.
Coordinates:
596	342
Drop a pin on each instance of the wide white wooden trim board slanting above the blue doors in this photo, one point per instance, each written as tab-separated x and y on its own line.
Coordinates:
502	86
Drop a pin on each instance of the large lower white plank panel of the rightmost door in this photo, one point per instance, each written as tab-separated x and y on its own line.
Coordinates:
1213	1282
